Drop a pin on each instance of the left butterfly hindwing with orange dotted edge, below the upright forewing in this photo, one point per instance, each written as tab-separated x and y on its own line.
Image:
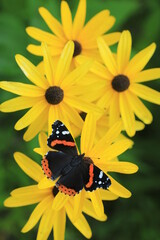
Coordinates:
55	164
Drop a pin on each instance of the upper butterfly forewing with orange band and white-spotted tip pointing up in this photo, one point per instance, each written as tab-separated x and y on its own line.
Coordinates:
61	139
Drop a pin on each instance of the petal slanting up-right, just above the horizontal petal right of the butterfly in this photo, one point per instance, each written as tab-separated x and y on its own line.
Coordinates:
116	149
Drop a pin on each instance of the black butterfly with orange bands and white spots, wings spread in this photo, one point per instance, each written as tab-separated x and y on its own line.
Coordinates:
74	171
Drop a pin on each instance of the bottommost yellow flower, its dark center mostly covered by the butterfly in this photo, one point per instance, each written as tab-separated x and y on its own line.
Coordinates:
52	206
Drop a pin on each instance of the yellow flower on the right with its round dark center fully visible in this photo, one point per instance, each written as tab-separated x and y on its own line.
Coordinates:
123	79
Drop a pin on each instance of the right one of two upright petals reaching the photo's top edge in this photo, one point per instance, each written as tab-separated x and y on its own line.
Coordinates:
79	19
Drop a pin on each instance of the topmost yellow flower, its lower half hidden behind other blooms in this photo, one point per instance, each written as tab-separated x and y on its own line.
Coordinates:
84	37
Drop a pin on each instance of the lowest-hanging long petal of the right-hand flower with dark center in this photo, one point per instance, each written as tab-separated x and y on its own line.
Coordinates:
127	115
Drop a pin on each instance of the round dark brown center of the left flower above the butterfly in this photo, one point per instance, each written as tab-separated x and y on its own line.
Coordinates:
54	95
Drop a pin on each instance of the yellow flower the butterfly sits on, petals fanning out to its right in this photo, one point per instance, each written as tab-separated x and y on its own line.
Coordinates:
104	155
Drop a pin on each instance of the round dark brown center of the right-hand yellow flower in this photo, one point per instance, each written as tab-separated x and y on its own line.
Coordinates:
120	83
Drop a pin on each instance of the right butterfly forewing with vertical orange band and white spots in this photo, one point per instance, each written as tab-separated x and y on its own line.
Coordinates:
94	178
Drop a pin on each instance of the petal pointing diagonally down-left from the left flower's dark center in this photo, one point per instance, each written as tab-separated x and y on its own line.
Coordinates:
31	115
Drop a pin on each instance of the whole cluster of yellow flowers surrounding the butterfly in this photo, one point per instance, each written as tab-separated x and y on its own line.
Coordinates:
95	93
